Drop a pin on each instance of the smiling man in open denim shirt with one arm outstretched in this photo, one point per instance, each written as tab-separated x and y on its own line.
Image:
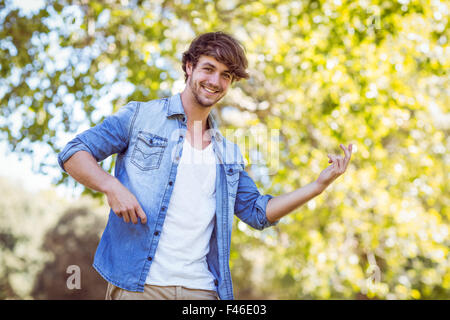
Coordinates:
181	247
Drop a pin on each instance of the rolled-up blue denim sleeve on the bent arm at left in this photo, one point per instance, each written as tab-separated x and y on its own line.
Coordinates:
105	139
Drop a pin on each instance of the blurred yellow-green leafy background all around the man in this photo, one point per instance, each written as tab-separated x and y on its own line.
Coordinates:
371	73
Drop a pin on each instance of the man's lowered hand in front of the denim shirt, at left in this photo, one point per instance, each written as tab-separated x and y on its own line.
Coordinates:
124	204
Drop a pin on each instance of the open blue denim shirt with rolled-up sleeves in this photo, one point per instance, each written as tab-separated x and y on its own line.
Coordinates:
148	139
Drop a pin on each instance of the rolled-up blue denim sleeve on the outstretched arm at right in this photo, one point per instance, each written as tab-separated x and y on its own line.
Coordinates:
250	205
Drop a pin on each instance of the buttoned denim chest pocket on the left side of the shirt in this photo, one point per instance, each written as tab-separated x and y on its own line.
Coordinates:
148	151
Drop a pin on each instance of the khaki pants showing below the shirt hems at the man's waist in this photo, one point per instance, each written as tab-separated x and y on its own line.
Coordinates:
152	292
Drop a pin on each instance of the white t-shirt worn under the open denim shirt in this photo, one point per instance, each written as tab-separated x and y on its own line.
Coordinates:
180	258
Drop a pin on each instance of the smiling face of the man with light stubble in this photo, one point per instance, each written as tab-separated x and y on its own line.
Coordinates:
208	81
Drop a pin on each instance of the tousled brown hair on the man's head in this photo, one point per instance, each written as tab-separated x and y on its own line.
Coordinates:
222	47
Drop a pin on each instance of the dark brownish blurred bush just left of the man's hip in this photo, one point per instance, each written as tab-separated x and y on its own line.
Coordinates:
72	243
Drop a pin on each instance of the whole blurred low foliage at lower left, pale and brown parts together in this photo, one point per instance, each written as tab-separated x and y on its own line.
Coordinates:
41	236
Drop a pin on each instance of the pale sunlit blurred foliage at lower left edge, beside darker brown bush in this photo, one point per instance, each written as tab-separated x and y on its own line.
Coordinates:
24	219
